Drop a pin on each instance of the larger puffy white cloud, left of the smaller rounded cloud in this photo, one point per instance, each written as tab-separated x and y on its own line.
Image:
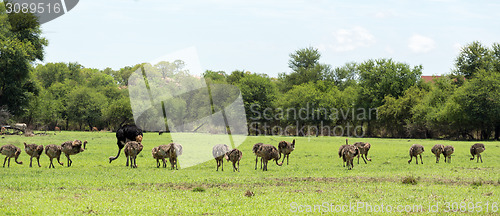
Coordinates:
350	39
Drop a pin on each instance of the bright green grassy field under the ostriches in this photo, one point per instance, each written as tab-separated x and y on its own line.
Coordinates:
315	176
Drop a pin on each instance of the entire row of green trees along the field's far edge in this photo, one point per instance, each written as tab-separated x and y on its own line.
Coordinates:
376	97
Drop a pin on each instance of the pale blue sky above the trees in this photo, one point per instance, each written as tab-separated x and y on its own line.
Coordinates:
259	35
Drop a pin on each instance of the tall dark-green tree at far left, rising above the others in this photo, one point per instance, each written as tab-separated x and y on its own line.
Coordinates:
20	45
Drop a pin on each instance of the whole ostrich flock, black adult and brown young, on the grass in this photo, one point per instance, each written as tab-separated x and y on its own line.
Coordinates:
129	138
